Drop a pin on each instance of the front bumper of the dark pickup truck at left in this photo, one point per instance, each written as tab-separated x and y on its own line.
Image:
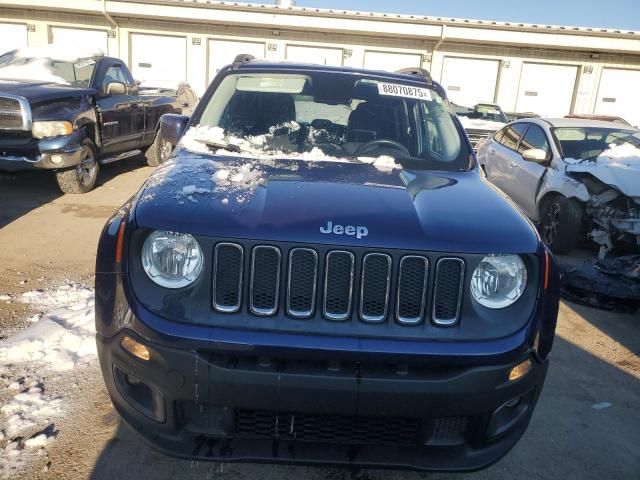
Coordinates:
48	154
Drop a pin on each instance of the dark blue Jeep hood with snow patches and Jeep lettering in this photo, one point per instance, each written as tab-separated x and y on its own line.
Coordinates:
290	200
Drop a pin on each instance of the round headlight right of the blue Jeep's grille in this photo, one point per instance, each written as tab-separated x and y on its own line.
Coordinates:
499	280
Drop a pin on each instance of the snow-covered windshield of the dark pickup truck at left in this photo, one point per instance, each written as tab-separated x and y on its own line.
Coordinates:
18	65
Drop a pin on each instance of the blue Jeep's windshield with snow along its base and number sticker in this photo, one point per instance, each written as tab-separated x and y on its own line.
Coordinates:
328	116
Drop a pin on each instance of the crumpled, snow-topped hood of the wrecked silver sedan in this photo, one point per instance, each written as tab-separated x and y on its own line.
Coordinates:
618	167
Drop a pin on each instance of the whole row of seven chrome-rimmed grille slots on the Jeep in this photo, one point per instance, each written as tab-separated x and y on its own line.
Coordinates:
332	282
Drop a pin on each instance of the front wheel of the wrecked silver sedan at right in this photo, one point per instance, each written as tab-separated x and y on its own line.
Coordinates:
561	223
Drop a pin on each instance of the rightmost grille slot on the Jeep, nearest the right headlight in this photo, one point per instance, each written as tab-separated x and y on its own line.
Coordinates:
448	291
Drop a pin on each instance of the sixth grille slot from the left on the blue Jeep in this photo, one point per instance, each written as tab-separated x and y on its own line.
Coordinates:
412	289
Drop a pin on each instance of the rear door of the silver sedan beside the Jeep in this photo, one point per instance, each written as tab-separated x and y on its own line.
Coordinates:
501	157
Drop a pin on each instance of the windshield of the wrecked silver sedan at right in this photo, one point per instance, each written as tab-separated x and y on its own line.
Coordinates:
588	143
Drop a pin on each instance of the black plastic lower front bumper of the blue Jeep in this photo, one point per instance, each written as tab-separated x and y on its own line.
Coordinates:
227	405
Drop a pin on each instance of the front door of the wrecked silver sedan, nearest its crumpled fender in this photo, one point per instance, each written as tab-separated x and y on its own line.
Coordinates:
528	173
